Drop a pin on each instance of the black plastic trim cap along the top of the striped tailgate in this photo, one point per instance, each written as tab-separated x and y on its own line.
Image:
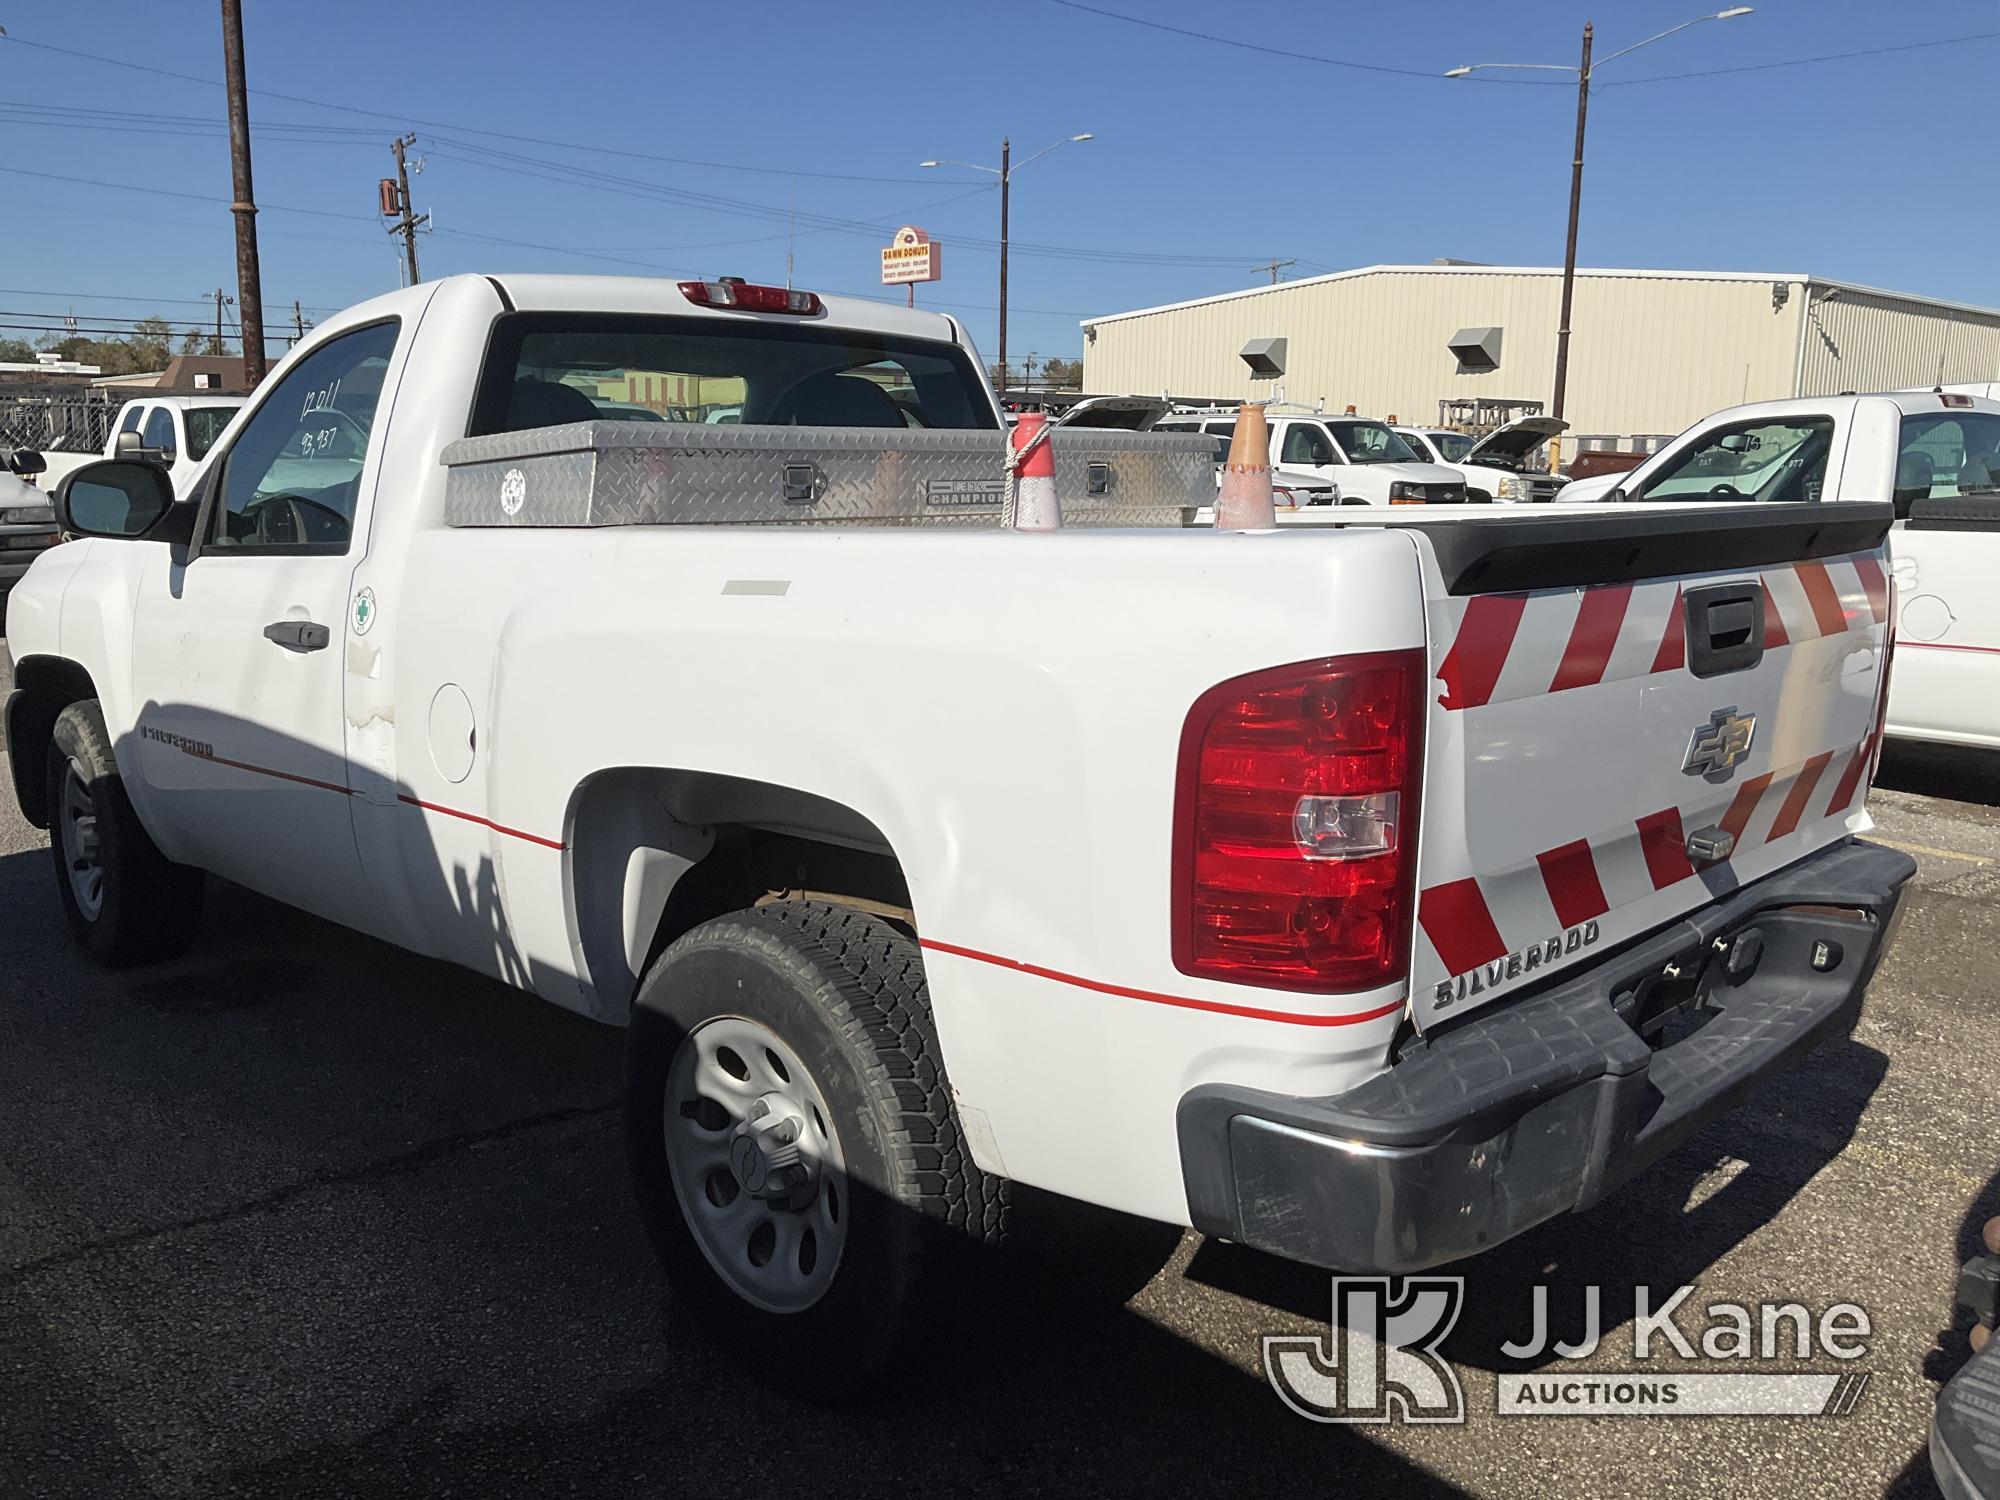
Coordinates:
1521	551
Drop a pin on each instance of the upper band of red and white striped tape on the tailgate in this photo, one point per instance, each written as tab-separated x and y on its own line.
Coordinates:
1509	647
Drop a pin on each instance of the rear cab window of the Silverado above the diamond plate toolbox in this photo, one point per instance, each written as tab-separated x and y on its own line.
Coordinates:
547	369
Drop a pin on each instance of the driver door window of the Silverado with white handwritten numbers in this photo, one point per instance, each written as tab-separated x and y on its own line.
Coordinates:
293	475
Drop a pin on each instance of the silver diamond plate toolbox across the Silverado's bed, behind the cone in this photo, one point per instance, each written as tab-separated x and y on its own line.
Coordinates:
681	475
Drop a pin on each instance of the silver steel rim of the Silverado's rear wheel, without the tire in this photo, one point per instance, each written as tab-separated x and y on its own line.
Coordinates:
757	1163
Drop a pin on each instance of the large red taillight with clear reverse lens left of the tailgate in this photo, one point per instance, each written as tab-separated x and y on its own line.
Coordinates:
1295	825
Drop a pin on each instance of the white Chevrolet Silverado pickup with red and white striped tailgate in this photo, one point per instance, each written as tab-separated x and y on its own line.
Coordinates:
1367	895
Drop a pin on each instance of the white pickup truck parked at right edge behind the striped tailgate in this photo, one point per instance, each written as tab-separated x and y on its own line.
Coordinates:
1937	457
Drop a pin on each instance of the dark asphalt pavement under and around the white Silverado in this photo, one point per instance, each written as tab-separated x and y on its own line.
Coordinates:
305	1217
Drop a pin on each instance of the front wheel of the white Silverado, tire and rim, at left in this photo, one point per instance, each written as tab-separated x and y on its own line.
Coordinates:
123	899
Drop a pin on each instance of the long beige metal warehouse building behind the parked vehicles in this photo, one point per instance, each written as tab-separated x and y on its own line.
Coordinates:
1651	351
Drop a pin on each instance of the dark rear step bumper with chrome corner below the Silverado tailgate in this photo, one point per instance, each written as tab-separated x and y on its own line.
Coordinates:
1543	1105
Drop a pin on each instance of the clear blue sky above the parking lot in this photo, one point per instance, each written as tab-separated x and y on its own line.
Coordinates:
1207	161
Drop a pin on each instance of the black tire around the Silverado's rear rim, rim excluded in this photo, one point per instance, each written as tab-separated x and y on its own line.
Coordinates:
847	995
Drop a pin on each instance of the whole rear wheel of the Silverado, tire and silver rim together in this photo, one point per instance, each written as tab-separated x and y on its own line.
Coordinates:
793	1141
